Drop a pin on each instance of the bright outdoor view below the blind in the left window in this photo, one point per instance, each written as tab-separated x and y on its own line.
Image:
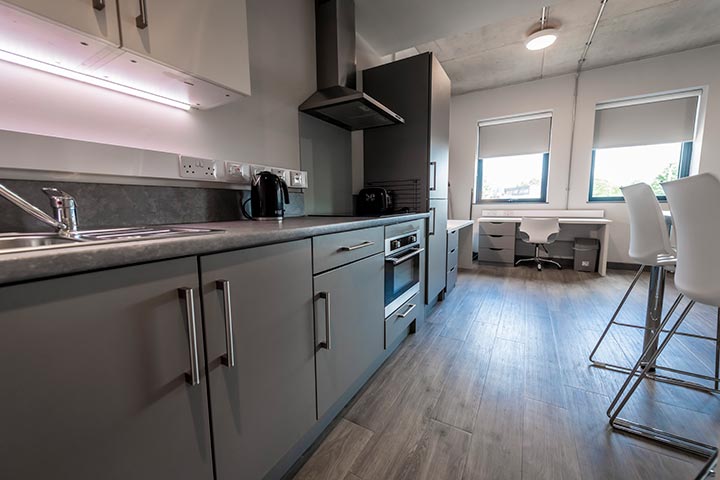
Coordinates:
512	178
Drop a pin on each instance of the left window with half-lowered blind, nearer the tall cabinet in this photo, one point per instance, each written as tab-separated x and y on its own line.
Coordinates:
513	159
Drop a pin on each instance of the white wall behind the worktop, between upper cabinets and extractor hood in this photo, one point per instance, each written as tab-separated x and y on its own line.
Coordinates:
261	129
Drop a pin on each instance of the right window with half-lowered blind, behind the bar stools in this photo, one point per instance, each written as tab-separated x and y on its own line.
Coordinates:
649	142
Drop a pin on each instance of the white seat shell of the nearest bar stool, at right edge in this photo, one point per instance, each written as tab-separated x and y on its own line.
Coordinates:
695	206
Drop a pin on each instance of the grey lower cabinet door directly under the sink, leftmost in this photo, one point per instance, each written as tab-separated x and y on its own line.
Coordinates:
94	370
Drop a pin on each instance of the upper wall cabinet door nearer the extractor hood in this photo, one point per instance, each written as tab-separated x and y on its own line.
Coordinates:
207	39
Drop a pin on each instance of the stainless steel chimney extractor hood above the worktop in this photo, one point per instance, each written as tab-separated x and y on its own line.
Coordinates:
336	100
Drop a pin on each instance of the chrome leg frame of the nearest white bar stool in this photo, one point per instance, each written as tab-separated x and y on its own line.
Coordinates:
646	431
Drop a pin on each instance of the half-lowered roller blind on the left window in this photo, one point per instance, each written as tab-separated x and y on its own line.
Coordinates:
514	137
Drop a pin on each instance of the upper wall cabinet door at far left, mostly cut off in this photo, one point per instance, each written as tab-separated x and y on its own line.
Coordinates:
95	17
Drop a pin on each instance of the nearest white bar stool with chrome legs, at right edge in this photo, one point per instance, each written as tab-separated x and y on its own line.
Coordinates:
696	218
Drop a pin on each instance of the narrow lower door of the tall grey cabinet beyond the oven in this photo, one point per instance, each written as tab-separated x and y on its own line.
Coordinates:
436	250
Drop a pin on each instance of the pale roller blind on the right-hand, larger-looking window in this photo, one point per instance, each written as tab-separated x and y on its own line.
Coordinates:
650	123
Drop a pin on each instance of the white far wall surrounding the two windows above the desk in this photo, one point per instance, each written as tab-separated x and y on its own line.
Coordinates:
691	69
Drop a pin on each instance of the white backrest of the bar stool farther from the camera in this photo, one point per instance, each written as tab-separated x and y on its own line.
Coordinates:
649	235
